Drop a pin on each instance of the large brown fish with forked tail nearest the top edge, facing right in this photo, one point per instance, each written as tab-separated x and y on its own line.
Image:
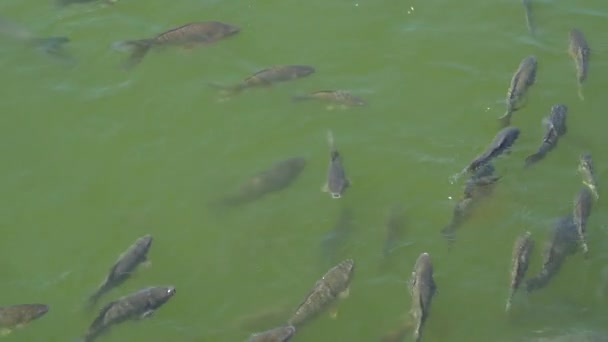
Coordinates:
187	36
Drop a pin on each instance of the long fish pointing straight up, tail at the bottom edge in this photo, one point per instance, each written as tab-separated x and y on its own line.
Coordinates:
422	290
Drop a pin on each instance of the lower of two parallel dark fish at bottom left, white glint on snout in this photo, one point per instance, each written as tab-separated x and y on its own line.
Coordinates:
138	305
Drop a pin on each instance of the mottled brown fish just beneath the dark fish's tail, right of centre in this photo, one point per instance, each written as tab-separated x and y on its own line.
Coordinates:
479	186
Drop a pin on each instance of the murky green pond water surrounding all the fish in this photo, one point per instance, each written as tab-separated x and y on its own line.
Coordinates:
94	157
